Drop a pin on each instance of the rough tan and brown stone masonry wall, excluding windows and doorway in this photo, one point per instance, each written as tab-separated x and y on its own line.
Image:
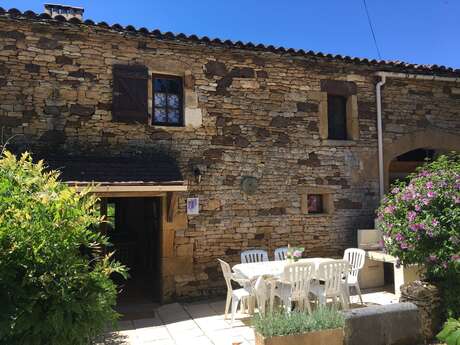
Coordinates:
248	113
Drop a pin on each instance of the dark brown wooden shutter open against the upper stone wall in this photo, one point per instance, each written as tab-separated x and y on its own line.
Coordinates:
130	93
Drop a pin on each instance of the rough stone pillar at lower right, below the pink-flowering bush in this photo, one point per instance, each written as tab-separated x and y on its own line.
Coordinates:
426	297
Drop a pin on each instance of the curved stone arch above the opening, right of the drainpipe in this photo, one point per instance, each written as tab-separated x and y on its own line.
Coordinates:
428	139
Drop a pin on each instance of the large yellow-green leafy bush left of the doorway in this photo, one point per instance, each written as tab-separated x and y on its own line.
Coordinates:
54	282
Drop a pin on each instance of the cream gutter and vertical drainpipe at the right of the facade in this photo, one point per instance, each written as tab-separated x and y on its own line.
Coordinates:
378	90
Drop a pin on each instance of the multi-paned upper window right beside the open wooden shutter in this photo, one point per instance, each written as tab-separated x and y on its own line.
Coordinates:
167	100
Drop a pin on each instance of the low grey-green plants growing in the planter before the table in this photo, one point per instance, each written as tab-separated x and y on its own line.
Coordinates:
296	322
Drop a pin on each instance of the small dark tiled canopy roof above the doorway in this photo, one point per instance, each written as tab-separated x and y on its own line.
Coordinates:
155	169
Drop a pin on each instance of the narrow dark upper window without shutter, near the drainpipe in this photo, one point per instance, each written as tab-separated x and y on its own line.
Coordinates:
337	117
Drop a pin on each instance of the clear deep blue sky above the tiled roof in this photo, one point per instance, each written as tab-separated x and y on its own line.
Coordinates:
416	31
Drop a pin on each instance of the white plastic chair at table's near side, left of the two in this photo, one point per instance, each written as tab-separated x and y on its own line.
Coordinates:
295	285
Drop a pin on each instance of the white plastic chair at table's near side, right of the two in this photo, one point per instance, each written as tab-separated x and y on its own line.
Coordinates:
332	273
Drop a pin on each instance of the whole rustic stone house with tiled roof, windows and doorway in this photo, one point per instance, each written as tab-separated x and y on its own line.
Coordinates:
279	145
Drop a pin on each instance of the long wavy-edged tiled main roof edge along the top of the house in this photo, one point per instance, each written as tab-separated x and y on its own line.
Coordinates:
397	66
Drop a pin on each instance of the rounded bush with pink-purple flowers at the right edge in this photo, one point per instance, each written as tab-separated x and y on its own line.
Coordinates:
420	219
